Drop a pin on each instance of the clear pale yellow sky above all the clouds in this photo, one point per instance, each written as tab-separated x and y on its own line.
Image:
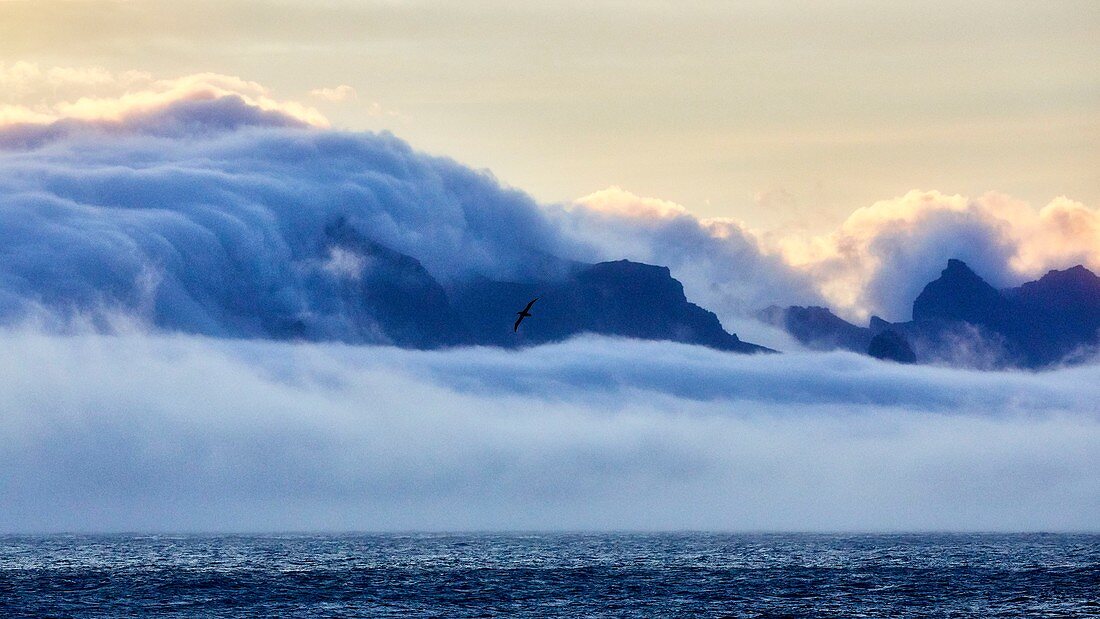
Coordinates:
778	114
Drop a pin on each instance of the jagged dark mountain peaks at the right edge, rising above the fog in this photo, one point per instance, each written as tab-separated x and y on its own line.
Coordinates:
961	318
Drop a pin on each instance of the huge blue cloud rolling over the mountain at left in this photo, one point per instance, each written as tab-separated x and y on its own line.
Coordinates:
215	216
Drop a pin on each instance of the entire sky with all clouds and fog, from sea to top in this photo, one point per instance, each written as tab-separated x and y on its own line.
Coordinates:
171	173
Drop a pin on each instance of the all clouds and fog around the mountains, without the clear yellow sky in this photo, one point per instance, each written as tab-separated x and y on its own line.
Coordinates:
213	214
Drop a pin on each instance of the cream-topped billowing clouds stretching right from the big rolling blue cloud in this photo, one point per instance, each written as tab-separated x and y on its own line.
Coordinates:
876	262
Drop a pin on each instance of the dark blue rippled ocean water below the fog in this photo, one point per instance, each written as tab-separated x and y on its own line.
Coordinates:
552	576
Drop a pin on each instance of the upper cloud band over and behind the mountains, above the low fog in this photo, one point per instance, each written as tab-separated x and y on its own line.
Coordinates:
202	204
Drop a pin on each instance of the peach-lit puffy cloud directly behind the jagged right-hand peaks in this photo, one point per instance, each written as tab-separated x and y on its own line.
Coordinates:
882	257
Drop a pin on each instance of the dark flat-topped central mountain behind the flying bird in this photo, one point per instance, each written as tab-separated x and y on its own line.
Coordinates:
390	296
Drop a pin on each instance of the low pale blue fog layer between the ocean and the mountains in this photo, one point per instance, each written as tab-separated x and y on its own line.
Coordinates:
141	433
